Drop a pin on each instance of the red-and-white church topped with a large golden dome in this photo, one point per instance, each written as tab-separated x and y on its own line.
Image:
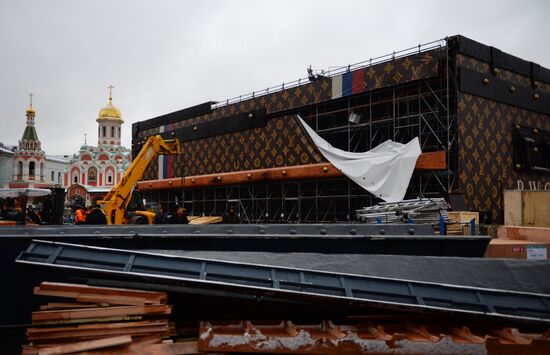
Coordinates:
94	170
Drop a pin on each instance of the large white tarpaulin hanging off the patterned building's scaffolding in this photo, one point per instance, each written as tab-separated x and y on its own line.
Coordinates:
385	171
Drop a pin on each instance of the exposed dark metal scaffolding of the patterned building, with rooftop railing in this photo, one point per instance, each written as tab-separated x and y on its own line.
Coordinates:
425	108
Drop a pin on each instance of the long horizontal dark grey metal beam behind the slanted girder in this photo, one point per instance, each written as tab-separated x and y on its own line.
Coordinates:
284	238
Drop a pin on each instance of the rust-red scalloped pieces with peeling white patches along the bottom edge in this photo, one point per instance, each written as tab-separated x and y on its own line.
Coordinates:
387	337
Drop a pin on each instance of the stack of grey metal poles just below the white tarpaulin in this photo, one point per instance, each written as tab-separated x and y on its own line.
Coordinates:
427	211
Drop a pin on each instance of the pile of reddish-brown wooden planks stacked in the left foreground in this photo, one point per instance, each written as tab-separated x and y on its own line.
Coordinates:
110	320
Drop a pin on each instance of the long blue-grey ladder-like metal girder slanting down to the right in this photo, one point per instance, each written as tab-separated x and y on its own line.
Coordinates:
215	275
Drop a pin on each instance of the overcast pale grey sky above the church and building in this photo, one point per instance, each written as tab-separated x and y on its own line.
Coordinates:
163	56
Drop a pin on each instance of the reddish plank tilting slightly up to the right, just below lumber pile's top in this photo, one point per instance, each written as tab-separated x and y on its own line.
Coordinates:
83	313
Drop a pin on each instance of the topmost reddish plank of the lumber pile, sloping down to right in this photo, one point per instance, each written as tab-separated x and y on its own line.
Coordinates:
75	289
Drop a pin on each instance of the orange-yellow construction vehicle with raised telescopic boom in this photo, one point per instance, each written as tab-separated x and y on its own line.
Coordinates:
115	204
